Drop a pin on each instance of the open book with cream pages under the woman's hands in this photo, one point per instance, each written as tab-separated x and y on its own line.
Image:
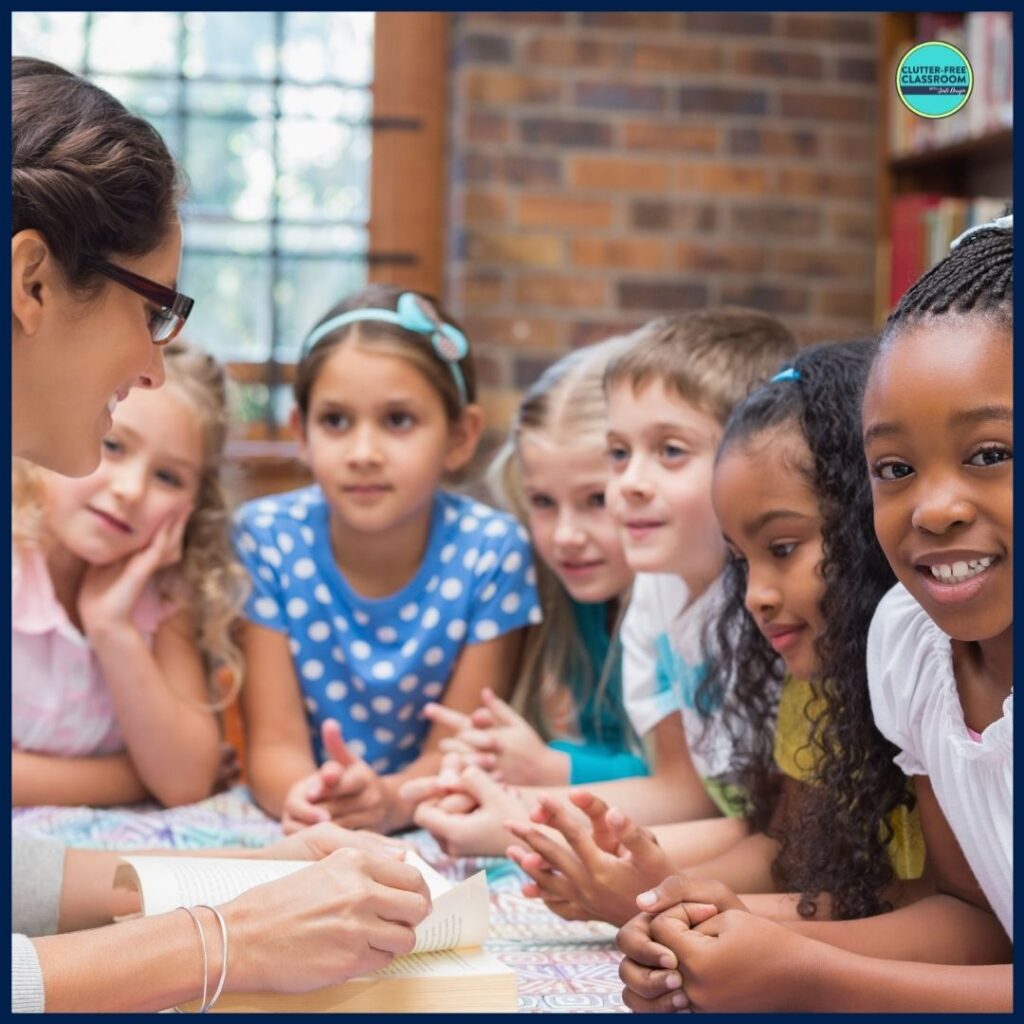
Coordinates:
447	972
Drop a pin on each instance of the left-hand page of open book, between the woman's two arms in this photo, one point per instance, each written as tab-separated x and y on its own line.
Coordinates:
167	883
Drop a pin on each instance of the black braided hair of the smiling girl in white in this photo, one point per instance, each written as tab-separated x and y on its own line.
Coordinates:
976	278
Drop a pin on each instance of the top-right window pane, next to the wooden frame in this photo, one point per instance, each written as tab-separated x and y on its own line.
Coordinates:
334	47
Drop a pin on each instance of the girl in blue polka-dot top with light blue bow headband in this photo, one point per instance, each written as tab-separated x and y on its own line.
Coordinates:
374	590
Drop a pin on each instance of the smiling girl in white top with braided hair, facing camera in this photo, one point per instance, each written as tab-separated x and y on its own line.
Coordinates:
940	666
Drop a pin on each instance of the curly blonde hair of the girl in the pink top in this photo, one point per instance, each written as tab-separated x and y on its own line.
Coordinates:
208	580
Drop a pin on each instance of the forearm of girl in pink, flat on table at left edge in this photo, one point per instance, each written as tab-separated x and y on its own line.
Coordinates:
100	782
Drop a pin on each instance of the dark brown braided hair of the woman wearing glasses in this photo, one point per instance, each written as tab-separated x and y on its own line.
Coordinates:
93	179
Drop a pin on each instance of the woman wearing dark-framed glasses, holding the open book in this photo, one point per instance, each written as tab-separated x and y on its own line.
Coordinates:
96	249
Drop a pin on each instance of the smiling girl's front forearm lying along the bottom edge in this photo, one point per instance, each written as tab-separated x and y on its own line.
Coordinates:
839	980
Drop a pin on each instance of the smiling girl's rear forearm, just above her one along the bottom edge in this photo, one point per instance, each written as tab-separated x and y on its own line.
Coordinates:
935	930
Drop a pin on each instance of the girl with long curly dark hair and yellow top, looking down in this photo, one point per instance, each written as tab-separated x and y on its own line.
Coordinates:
803	581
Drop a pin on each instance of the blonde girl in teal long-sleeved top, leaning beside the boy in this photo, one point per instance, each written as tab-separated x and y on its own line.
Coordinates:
552	473
